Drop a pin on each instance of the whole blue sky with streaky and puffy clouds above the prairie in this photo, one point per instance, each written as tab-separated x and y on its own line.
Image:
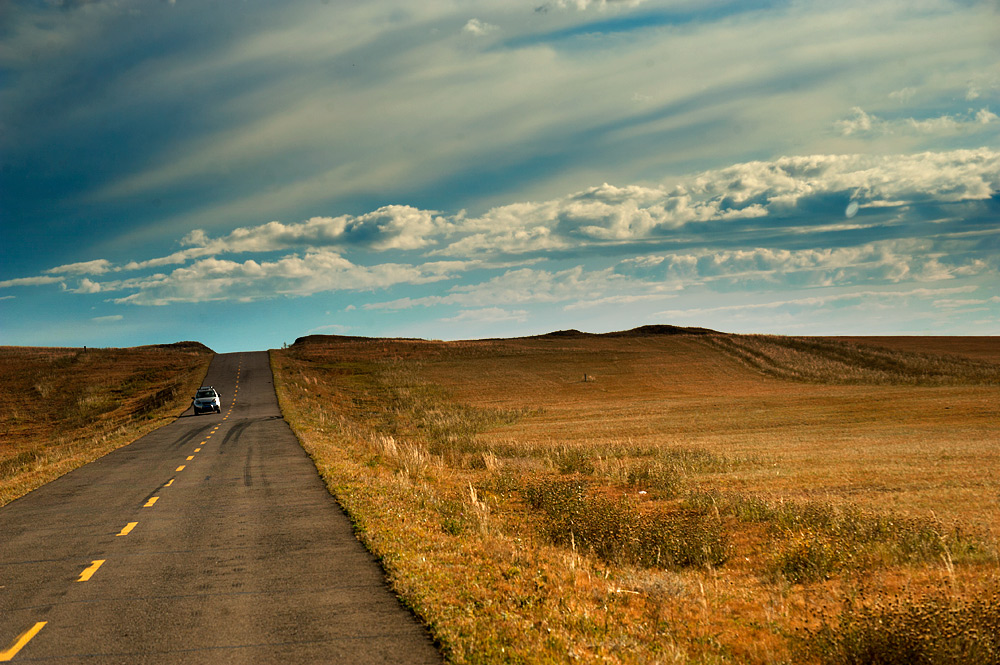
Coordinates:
246	172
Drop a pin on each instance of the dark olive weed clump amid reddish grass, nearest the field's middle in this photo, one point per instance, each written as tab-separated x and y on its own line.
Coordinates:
616	531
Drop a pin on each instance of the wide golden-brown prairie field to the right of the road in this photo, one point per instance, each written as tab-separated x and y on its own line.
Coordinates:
678	505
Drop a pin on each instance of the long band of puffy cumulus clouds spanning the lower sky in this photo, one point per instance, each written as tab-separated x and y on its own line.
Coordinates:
764	199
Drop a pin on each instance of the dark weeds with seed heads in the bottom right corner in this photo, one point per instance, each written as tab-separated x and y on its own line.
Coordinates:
933	630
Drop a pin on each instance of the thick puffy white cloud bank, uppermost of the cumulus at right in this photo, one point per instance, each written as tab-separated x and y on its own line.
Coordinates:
608	213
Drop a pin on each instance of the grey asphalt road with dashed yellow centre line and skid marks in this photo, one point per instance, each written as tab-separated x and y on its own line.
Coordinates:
217	543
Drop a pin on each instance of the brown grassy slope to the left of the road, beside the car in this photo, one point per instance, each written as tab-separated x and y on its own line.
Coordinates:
64	407
